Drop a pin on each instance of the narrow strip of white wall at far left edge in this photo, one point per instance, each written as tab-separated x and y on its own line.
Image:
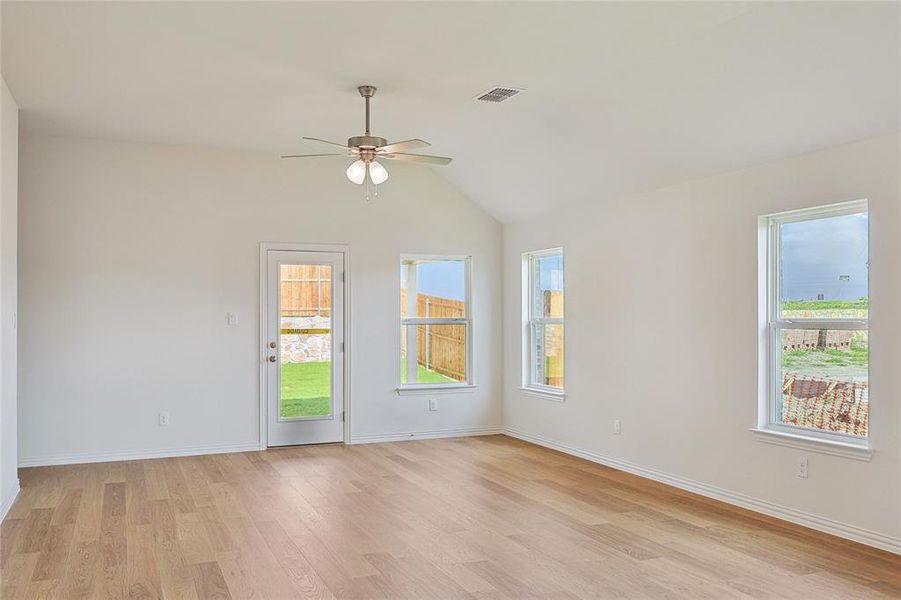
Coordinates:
9	153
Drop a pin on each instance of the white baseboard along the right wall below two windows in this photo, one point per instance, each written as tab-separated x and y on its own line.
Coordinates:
842	530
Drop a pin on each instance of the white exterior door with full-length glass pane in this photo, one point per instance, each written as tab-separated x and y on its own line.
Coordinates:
304	347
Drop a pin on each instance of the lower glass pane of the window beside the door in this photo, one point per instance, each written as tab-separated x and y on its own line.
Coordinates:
440	351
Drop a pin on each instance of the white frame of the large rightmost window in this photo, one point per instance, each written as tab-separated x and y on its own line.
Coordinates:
773	324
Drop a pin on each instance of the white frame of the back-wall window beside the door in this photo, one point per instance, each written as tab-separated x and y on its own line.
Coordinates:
469	385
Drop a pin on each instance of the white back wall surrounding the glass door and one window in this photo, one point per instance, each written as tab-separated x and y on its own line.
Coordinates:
132	254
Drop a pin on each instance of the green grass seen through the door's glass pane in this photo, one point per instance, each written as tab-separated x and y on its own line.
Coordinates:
306	389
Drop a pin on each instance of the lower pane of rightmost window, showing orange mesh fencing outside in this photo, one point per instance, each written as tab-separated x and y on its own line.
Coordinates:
825	380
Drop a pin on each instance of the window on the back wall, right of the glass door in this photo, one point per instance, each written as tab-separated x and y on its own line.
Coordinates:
436	322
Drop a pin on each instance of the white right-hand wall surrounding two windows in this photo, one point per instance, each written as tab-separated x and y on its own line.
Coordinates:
662	333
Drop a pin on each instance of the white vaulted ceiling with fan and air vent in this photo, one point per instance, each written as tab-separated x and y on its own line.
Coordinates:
619	96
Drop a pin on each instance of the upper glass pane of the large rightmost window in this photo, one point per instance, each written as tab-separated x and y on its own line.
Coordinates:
824	271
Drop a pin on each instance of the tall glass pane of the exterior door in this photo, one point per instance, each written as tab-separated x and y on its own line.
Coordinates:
305	341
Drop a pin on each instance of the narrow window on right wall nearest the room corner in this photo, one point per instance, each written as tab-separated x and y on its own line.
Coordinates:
543	327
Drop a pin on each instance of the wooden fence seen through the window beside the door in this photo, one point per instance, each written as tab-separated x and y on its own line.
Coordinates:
440	348
